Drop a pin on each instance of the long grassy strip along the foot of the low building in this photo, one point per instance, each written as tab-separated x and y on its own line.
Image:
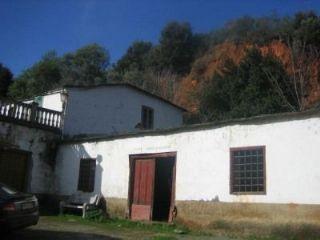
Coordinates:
234	229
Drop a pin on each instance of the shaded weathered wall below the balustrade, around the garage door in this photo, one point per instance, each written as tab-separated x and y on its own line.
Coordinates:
36	141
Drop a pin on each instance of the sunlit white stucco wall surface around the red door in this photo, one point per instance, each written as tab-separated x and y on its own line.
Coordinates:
202	171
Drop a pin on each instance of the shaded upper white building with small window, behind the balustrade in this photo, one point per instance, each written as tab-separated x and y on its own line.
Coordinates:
111	109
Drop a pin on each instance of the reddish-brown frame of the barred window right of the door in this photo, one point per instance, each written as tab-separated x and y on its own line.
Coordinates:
264	192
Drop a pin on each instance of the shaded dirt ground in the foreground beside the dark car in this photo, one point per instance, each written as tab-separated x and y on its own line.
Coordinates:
48	229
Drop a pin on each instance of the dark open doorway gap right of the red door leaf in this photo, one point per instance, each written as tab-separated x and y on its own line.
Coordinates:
163	188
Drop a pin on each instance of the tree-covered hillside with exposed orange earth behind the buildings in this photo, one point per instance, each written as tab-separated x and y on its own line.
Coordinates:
250	66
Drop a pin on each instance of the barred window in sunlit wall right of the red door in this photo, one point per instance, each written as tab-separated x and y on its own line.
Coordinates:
247	167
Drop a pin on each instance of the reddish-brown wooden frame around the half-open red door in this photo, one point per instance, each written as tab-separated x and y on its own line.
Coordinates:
132	158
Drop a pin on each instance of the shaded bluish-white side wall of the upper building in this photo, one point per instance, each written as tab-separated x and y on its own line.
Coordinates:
114	110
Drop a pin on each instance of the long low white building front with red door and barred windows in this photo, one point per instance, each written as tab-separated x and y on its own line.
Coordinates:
268	159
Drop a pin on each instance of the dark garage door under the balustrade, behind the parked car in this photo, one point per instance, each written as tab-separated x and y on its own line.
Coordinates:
13	168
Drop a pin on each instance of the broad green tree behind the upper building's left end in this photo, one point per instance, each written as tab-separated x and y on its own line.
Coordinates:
86	66
